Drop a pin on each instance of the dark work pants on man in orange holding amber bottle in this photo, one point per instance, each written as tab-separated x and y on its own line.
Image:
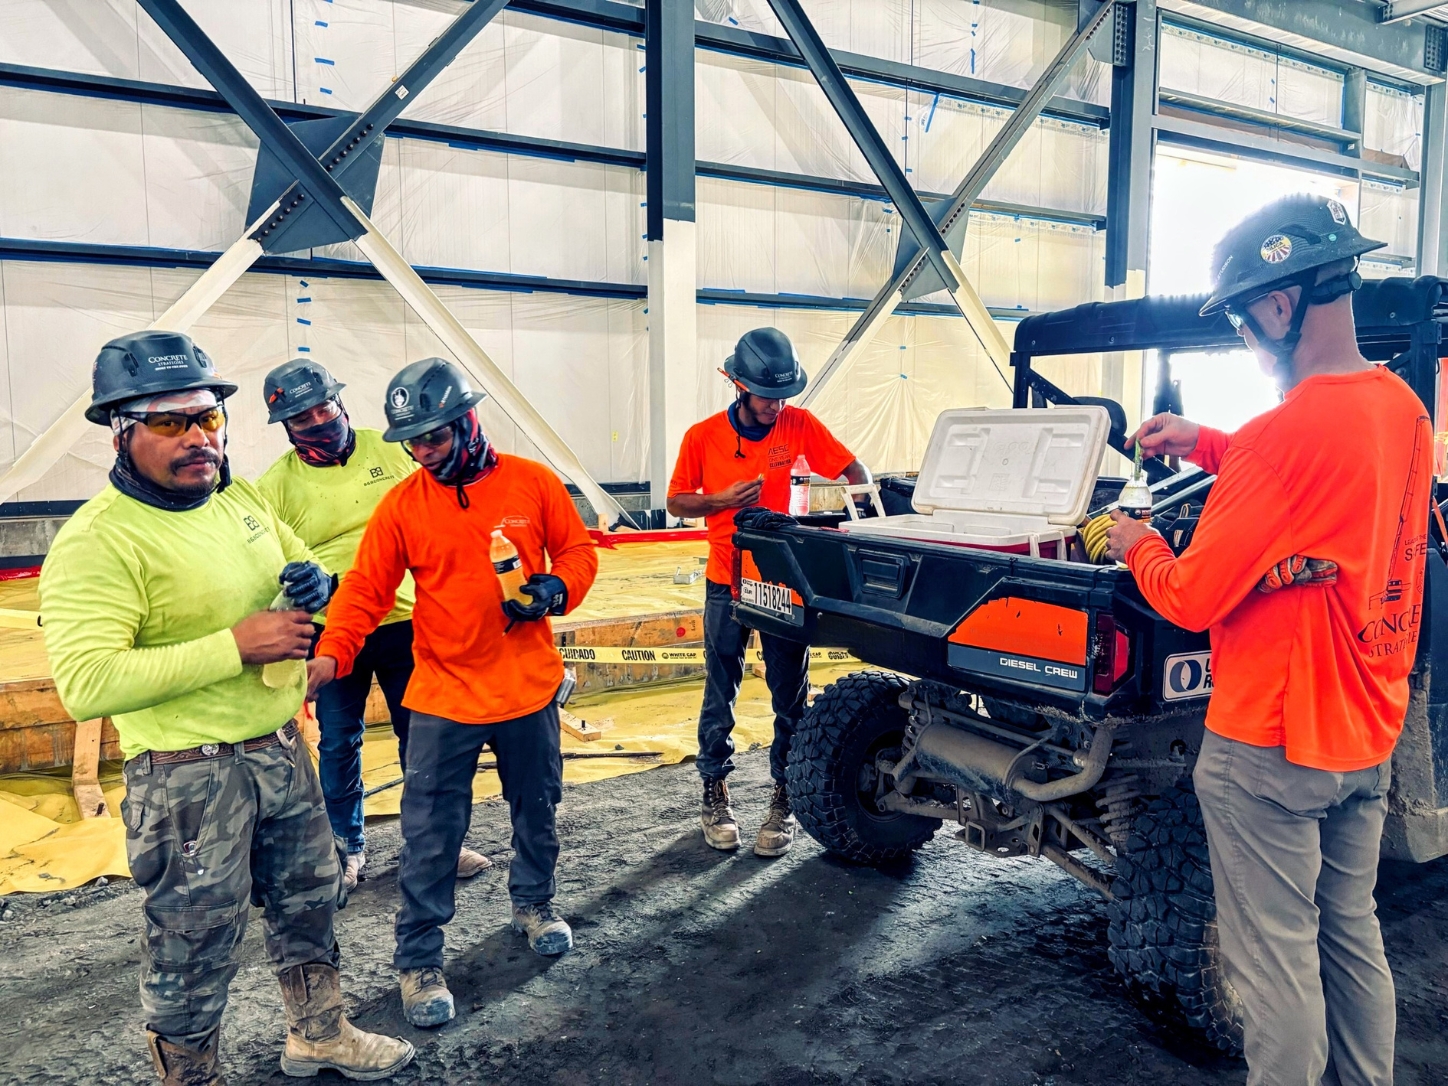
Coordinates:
442	761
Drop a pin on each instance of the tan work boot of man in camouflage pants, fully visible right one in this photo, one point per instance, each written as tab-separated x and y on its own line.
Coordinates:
321	1037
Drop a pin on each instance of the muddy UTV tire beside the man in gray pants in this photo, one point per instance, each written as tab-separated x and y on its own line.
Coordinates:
1163	923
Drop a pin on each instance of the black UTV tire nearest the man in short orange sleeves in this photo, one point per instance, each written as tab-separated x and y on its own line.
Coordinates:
832	773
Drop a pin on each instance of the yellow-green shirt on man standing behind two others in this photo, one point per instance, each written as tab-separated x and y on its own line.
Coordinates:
329	508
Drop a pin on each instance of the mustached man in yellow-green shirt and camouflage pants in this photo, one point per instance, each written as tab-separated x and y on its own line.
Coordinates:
157	600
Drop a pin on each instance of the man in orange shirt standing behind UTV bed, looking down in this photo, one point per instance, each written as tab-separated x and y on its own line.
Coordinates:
732	461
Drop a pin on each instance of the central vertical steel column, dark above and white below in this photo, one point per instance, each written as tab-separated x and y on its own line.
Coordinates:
671	235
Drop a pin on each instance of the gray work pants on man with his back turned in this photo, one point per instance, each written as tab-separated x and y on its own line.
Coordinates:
1295	862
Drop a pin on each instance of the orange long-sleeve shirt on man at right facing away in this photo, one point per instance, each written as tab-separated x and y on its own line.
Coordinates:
1342	470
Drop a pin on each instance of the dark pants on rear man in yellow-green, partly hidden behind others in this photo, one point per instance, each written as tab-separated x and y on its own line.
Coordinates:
341	706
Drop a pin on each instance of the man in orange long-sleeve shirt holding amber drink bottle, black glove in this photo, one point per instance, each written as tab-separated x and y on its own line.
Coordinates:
487	671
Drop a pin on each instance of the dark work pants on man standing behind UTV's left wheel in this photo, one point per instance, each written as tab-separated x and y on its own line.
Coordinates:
787	673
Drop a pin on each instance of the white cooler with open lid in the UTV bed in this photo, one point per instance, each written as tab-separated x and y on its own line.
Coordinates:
1017	481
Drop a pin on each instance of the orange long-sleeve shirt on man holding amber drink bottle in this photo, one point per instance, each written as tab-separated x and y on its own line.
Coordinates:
467	668
